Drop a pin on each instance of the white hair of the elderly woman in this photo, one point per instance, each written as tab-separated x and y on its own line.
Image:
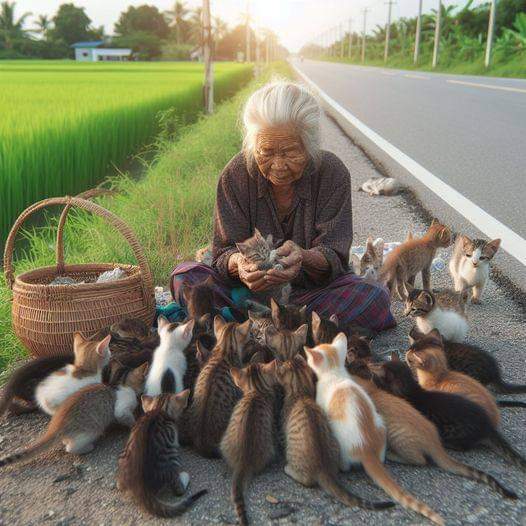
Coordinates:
281	103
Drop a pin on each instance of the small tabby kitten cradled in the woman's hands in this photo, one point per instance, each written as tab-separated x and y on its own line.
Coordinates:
260	252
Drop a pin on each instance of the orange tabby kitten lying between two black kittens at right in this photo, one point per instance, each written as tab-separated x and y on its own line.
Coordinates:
428	358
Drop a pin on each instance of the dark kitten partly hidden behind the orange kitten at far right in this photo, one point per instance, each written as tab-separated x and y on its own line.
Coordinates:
475	362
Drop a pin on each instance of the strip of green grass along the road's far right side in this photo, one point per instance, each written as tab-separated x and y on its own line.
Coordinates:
514	67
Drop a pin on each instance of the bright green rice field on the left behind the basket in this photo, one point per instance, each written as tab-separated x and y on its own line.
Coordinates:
64	125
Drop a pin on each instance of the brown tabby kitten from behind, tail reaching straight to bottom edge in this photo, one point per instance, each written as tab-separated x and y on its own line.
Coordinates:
249	442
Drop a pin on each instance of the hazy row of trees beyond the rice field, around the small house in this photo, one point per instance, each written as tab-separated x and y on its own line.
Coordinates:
150	33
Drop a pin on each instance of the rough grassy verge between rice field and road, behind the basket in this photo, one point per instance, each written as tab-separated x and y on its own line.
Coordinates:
170	208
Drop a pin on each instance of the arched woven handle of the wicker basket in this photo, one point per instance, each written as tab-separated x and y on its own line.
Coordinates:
89	206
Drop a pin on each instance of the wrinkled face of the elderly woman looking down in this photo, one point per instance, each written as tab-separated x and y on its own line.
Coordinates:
280	155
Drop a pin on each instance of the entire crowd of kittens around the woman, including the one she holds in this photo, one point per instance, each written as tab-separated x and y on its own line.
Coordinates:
283	386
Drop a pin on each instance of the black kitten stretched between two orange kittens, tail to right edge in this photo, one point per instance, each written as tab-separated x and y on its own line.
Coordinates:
462	424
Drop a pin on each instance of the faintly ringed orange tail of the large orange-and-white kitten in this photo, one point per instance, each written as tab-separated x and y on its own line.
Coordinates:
377	471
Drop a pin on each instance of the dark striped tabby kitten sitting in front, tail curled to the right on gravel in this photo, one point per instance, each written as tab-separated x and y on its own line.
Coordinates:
150	463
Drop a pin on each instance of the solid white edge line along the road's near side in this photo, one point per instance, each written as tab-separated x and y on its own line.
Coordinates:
512	243
